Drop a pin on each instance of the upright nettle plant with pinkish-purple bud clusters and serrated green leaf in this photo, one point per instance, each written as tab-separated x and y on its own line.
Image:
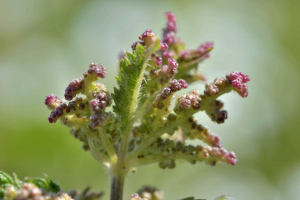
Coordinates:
148	123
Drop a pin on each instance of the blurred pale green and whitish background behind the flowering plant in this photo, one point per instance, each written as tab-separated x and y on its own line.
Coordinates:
45	44
